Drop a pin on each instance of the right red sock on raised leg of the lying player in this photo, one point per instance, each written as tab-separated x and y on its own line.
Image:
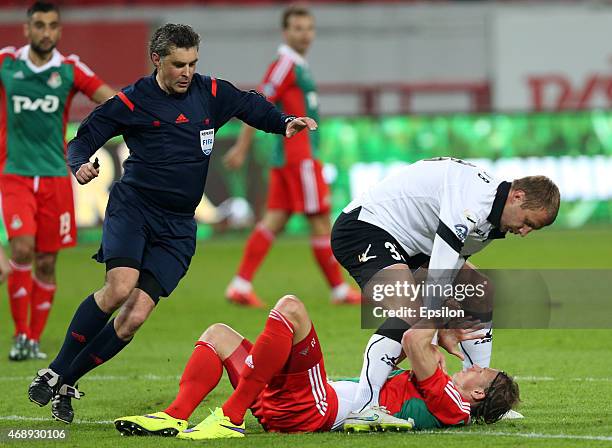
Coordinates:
270	353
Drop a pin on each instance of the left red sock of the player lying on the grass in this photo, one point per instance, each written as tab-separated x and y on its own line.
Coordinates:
201	375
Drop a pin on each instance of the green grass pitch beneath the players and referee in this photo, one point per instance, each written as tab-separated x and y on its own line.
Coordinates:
565	376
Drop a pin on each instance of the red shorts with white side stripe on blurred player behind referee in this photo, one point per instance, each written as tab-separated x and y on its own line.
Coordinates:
299	188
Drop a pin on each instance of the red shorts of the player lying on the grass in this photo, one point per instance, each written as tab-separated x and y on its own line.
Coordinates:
299	399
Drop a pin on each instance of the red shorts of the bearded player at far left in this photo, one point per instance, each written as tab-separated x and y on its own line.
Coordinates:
42	207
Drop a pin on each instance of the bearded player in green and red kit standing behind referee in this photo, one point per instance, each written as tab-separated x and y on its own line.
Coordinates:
37	84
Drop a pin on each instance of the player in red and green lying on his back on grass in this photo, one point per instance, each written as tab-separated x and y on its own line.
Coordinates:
282	380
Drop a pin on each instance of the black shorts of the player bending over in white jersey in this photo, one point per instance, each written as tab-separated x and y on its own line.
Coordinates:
364	249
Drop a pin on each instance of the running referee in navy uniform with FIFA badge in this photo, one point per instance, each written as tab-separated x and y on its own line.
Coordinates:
168	120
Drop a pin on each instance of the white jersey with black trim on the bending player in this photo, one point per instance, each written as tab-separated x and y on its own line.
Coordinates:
444	208
